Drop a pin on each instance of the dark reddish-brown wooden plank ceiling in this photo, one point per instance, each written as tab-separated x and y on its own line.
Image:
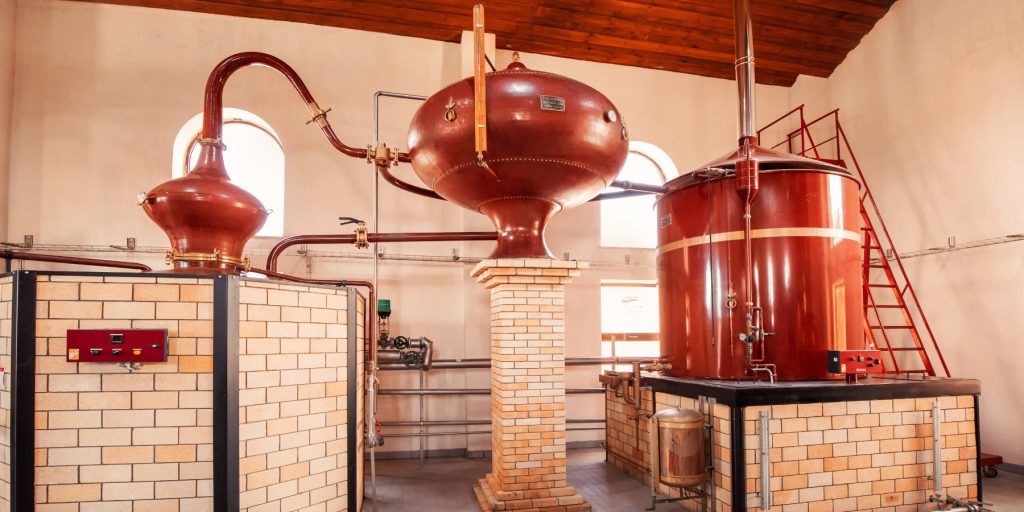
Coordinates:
792	37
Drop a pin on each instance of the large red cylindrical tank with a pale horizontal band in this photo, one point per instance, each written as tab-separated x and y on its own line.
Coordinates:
805	242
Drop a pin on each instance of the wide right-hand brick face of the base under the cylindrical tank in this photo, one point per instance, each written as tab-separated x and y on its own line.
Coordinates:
856	456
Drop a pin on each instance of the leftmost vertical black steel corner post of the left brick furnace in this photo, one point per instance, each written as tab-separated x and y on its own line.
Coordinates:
23	393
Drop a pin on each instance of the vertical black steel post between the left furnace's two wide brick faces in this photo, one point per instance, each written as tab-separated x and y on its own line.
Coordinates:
226	394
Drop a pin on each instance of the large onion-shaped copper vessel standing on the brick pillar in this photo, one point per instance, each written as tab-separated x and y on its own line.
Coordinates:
553	144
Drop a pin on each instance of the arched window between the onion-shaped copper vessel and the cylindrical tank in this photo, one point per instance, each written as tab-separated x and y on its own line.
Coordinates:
630	223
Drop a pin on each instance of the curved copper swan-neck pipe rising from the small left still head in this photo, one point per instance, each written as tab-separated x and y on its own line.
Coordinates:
214	107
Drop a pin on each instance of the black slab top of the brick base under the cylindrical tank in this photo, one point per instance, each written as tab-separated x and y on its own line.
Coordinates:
767	395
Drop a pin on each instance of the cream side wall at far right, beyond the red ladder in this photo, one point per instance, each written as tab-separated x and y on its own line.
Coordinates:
933	105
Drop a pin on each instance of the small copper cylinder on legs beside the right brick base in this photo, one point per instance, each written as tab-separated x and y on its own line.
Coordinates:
679	448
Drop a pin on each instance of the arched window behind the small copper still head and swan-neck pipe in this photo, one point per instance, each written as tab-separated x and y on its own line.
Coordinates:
254	158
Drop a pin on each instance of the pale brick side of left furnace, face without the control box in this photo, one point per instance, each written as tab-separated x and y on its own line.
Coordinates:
292	397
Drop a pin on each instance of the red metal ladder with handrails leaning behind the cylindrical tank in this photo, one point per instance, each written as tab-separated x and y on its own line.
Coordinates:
894	321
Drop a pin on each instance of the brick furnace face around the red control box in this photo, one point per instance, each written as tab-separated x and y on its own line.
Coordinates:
113	441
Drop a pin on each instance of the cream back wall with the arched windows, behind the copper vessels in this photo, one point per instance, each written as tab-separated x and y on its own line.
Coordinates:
101	92
